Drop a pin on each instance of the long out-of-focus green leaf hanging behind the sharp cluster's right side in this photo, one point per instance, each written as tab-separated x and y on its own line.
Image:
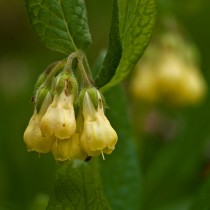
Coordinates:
120	171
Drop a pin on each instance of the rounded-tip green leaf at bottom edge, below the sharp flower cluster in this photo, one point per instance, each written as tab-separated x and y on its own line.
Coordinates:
77	186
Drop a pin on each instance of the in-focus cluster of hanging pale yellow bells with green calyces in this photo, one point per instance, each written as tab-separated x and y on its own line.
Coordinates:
68	124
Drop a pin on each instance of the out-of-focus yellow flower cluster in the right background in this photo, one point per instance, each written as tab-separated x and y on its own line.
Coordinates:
168	74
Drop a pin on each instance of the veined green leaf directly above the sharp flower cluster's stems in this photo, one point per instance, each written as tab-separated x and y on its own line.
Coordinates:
61	24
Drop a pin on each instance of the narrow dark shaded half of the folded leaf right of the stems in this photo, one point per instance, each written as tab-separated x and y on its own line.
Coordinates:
114	51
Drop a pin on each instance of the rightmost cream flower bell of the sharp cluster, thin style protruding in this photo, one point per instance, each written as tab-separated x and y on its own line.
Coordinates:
98	136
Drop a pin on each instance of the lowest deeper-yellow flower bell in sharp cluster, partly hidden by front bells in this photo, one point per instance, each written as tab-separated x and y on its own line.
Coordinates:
68	149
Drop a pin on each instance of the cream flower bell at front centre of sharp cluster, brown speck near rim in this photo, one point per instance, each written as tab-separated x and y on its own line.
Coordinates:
59	120
